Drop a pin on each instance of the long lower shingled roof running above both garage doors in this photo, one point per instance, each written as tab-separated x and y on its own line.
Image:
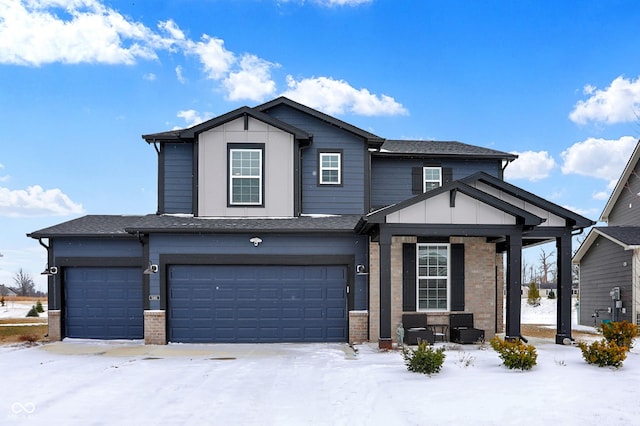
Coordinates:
125	226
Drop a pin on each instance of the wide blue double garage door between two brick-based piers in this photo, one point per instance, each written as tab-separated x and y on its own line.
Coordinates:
257	303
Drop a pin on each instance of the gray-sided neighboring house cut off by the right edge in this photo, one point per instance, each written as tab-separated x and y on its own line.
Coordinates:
609	257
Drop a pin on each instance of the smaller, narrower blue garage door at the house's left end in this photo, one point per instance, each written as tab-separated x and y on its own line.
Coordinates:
103	303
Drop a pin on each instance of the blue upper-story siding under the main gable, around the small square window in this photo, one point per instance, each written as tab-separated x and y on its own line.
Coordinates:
348	198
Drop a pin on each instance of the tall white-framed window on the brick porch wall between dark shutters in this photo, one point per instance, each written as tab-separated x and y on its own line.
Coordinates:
433	277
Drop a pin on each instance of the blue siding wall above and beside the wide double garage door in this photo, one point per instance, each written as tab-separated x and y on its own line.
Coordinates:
284	246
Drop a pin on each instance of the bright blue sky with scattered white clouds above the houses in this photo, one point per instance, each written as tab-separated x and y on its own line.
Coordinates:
81	80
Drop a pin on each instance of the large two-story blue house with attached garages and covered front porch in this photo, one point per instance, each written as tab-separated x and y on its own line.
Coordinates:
279	223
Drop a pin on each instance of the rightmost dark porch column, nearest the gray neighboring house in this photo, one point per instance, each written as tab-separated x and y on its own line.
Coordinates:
563	327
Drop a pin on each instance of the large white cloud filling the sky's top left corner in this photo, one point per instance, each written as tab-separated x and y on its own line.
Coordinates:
71	31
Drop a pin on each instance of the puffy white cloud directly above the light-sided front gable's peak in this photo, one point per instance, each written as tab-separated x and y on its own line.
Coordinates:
252	82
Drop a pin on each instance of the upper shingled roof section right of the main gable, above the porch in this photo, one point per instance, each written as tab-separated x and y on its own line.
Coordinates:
440	148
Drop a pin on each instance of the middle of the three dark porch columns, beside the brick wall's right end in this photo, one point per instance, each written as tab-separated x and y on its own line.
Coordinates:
514	274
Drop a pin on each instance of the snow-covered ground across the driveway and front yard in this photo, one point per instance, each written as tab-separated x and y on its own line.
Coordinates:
125	383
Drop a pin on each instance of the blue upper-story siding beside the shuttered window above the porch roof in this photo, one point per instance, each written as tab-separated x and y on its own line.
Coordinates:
391	177
